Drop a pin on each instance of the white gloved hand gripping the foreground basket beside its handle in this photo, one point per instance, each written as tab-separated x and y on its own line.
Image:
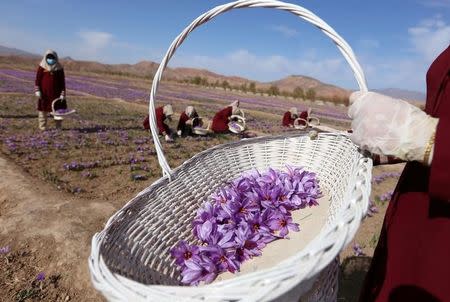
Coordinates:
389	126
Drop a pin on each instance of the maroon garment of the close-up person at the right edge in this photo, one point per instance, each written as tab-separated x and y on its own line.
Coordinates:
412	259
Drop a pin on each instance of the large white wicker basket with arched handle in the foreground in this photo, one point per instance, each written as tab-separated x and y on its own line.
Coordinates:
130	259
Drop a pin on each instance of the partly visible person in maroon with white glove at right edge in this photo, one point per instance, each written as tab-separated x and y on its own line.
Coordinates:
412	259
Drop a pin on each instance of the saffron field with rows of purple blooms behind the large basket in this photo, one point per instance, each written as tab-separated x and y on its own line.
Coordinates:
103	155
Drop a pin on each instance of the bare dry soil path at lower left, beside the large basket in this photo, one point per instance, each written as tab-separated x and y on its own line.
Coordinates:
55	226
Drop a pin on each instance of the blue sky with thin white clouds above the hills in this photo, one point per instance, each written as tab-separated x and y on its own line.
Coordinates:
395	40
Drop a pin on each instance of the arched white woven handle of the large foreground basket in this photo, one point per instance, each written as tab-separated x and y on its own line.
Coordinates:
299	11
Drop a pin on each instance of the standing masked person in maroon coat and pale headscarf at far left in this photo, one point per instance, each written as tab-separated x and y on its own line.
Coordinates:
50	84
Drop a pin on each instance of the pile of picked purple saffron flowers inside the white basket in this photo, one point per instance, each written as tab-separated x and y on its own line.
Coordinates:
241	218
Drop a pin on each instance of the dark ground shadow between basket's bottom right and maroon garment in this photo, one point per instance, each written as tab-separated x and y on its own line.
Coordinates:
351	277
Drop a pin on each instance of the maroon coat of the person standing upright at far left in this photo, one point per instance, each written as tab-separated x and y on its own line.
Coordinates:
52	85
